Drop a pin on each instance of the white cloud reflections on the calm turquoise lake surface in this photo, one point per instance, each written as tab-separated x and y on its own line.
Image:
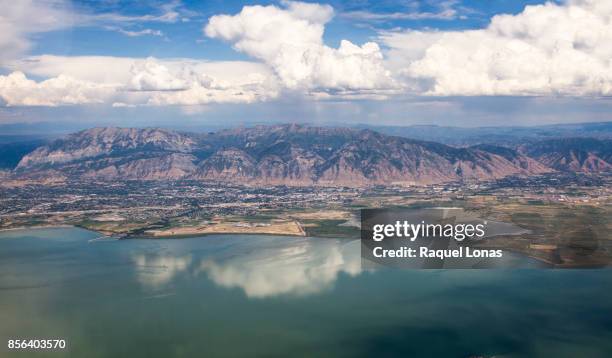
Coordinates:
267	267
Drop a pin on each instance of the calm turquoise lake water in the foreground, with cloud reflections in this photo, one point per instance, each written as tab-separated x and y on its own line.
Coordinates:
279	296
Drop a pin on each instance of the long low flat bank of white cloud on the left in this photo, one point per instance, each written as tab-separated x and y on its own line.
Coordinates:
134	81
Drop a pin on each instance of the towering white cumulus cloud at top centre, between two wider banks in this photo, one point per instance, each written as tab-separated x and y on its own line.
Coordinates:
290	41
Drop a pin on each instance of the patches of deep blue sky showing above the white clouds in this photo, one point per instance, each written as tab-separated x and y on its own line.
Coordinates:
185	39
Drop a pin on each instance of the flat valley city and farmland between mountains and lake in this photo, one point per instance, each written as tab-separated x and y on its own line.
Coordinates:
566	216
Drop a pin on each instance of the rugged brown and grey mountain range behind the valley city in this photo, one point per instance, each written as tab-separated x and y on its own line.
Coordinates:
299	155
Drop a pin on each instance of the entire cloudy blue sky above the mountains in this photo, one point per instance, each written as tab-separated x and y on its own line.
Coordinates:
224	63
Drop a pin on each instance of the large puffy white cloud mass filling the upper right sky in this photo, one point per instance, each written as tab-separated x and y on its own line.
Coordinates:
547	49
